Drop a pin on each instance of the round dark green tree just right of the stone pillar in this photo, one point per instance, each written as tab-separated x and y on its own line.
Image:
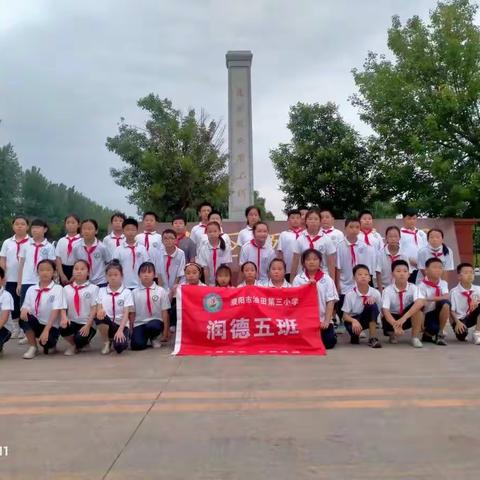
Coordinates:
326	162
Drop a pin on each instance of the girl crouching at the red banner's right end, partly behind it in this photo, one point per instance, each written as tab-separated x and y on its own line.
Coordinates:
326	291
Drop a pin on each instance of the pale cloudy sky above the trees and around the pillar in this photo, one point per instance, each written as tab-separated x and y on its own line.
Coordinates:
69	70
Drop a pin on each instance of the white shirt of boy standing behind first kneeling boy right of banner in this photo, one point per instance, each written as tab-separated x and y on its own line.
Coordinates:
364	254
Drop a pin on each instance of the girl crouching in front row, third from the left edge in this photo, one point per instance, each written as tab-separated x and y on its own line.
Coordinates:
76	325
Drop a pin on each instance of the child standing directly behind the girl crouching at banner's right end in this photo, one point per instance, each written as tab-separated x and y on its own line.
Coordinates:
312	237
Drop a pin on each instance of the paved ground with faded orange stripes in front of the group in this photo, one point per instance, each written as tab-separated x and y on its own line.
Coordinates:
395	413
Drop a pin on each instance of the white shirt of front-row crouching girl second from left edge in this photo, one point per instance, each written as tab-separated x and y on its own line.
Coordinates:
41	304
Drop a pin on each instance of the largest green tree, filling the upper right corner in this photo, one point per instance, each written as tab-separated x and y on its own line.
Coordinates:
423	104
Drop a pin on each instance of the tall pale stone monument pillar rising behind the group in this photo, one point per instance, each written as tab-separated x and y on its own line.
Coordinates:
239	133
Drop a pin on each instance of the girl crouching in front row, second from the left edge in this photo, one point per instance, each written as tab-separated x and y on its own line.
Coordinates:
41	311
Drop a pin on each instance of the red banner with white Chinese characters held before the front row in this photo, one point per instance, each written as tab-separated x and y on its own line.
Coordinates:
248	321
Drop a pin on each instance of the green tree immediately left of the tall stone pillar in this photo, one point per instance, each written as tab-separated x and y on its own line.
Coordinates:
174	162
